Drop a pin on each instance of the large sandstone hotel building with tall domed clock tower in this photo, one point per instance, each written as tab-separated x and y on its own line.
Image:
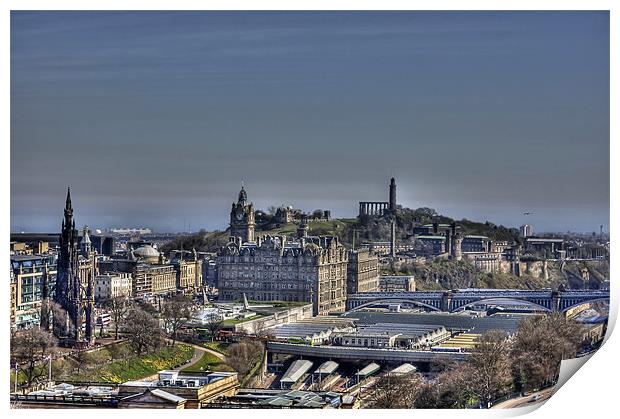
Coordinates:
270	268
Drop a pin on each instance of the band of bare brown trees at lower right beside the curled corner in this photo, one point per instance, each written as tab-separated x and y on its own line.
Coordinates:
499	365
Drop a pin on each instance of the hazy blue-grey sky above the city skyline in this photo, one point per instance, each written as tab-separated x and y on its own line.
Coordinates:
154	118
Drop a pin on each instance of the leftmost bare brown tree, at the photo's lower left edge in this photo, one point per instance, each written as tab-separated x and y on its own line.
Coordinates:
29	349
